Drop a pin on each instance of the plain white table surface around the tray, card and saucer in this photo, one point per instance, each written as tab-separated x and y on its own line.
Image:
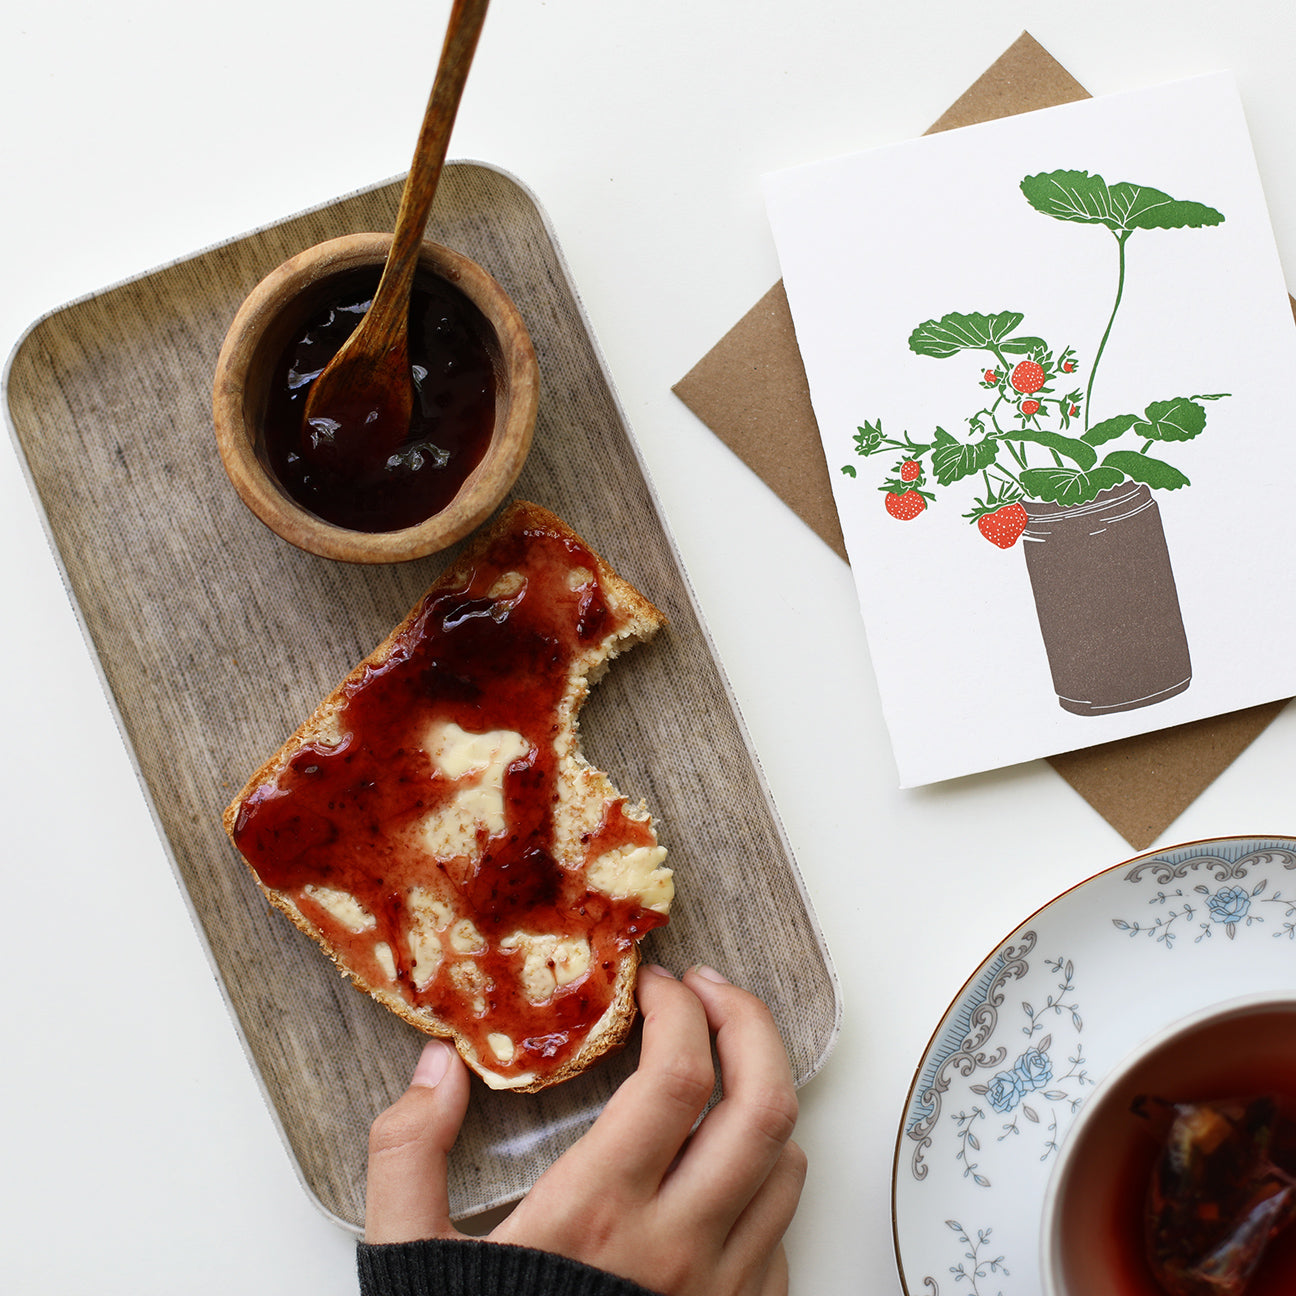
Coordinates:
138	1151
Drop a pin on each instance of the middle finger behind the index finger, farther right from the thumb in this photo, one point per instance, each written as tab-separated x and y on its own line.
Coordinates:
746	1135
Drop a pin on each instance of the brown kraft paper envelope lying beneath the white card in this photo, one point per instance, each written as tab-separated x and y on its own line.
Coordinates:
751	391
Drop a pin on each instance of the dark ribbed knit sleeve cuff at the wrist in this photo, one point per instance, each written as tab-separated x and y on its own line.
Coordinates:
454	1267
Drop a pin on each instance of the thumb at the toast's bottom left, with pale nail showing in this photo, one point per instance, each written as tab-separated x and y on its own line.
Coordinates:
408	1197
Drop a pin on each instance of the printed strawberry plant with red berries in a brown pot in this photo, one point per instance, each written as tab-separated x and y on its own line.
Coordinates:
1039	467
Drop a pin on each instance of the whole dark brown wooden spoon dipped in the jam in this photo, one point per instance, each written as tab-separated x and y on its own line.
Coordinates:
358	410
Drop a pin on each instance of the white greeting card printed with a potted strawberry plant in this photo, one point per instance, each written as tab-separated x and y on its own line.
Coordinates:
1052	362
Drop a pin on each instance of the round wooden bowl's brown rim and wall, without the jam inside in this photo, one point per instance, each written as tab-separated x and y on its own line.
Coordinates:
268	323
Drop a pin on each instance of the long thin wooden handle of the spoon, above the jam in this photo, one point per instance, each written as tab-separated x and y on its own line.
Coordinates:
430	155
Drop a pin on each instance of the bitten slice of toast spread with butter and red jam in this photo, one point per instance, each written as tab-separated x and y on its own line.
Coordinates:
436	829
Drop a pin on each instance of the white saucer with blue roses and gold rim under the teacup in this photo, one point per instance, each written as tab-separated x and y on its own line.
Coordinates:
1056	1008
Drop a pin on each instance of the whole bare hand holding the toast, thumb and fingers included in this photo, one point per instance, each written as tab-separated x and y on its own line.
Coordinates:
642	1194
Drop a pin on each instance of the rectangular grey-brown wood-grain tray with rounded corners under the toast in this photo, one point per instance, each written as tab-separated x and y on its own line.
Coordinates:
217	638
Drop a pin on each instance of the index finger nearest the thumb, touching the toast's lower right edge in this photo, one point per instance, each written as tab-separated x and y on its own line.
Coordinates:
653	1114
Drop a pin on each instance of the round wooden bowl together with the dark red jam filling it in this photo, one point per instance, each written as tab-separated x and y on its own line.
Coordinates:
475	382
